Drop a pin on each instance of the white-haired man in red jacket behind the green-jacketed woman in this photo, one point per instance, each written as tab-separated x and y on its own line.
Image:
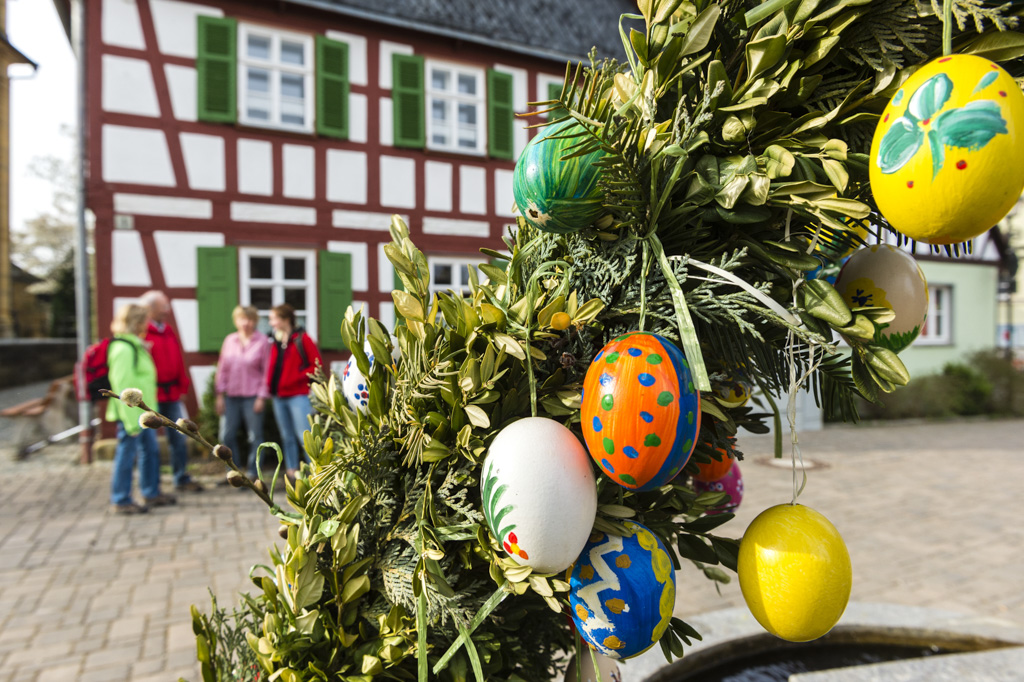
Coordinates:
173	382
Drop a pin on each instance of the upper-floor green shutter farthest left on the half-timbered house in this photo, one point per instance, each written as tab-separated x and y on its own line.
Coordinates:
217	70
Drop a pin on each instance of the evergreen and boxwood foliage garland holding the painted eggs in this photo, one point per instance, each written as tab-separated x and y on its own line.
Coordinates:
734	140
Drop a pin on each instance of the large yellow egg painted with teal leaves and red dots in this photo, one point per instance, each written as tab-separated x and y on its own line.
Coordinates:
944	162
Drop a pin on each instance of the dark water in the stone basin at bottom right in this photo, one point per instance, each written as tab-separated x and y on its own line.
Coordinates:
779	665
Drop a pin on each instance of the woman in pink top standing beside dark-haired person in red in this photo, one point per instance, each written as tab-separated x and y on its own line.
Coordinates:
241	386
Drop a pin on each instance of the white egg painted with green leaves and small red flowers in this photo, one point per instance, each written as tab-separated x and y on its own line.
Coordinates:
540	498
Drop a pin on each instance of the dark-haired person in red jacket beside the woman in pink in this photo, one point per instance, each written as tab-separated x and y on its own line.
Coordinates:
294	358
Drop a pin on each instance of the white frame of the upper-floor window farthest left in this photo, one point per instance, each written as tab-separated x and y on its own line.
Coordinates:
276	69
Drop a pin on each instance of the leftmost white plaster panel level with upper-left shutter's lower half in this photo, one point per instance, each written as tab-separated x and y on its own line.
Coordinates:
139	156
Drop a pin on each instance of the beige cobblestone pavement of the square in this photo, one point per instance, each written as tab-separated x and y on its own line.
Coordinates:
931	515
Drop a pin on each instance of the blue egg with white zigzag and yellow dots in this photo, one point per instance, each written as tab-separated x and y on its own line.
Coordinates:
623	591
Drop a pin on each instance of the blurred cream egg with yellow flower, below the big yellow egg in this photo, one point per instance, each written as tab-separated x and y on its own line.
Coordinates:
887	277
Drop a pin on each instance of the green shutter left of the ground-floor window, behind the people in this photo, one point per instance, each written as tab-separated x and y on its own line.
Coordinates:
217	293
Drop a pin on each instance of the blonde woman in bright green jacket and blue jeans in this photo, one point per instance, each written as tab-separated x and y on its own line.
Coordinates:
132	367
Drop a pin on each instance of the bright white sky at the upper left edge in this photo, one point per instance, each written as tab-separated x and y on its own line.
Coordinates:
40	105
